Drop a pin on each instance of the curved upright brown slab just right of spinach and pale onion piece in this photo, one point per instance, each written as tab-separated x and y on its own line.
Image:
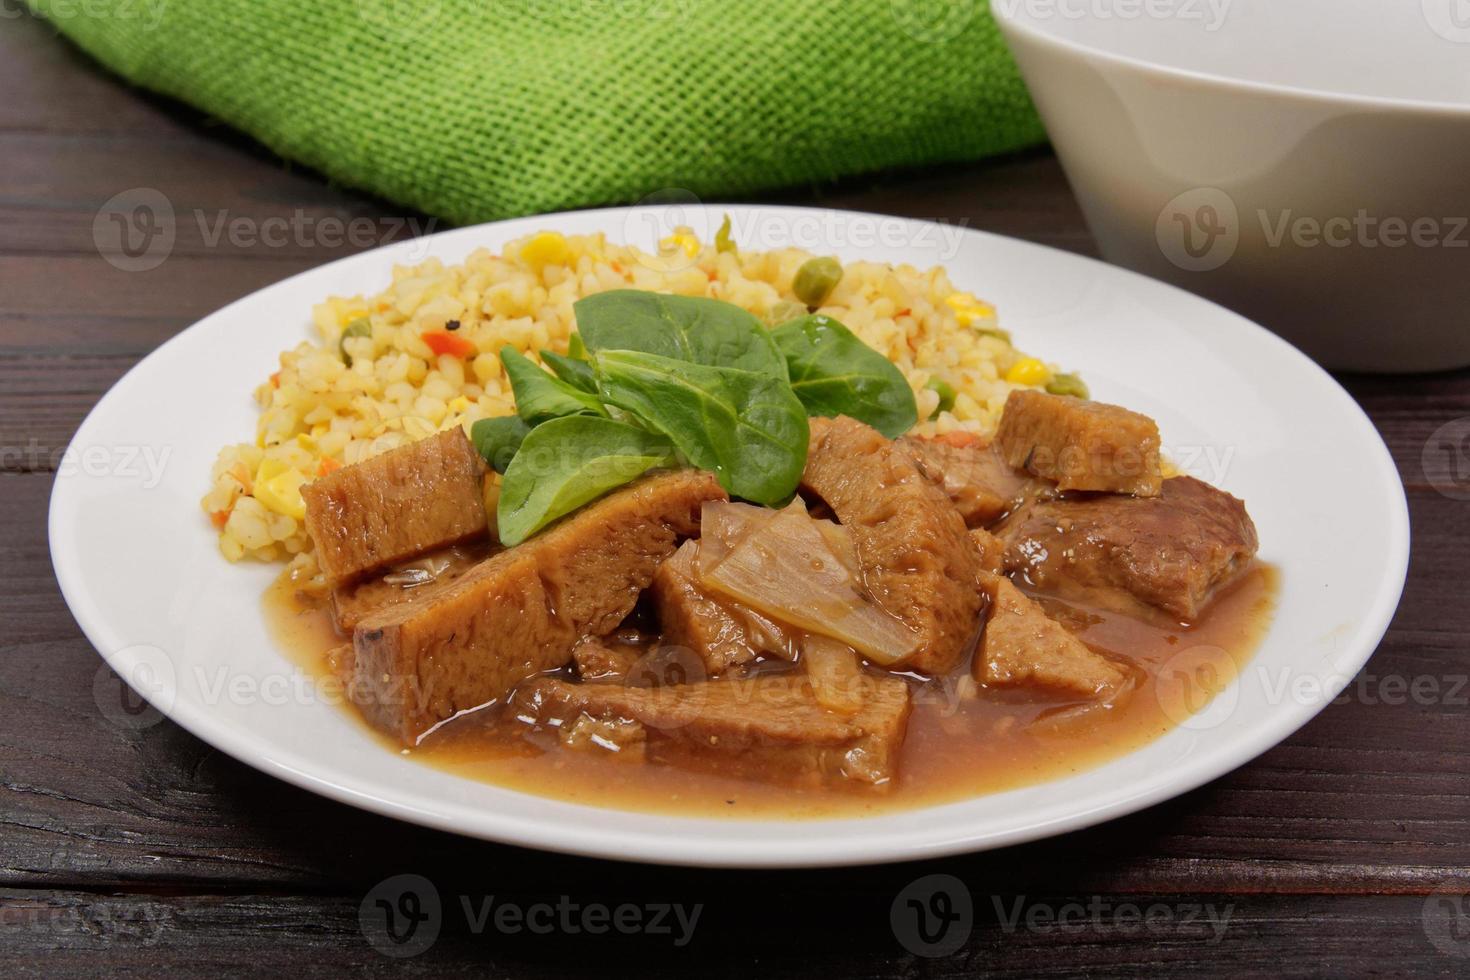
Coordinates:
912	543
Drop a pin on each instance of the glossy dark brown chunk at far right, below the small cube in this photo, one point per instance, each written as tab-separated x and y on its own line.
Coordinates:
1172	552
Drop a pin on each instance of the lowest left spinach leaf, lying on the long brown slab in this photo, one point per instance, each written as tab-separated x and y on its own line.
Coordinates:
570	462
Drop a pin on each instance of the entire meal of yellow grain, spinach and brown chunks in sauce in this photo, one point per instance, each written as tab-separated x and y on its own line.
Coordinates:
711	527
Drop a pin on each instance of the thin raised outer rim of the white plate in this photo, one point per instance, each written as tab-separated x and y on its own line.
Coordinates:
655	847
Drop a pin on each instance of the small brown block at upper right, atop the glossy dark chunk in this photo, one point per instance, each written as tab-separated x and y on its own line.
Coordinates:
1081	444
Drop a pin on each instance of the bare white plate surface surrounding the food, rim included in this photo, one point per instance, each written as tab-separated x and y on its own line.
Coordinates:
142	572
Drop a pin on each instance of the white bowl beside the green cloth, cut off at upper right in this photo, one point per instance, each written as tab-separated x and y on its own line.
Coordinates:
1306	164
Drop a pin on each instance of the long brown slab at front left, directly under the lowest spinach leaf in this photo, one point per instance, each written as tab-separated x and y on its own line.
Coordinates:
524	610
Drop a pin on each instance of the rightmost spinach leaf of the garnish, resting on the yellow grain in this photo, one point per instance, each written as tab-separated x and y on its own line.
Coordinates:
836	374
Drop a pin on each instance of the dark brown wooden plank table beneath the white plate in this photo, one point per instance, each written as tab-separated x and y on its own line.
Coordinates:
149	850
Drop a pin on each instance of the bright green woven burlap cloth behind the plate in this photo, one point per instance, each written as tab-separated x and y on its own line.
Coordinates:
480	109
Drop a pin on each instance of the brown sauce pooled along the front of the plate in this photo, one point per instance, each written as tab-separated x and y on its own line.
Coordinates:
958	747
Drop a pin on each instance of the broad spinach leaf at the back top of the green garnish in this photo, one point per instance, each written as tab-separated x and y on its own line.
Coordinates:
684	328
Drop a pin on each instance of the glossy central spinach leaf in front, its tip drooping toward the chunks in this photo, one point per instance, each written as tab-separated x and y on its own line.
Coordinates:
745	427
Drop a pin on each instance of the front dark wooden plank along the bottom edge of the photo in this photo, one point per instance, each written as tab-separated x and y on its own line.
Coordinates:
852	935
